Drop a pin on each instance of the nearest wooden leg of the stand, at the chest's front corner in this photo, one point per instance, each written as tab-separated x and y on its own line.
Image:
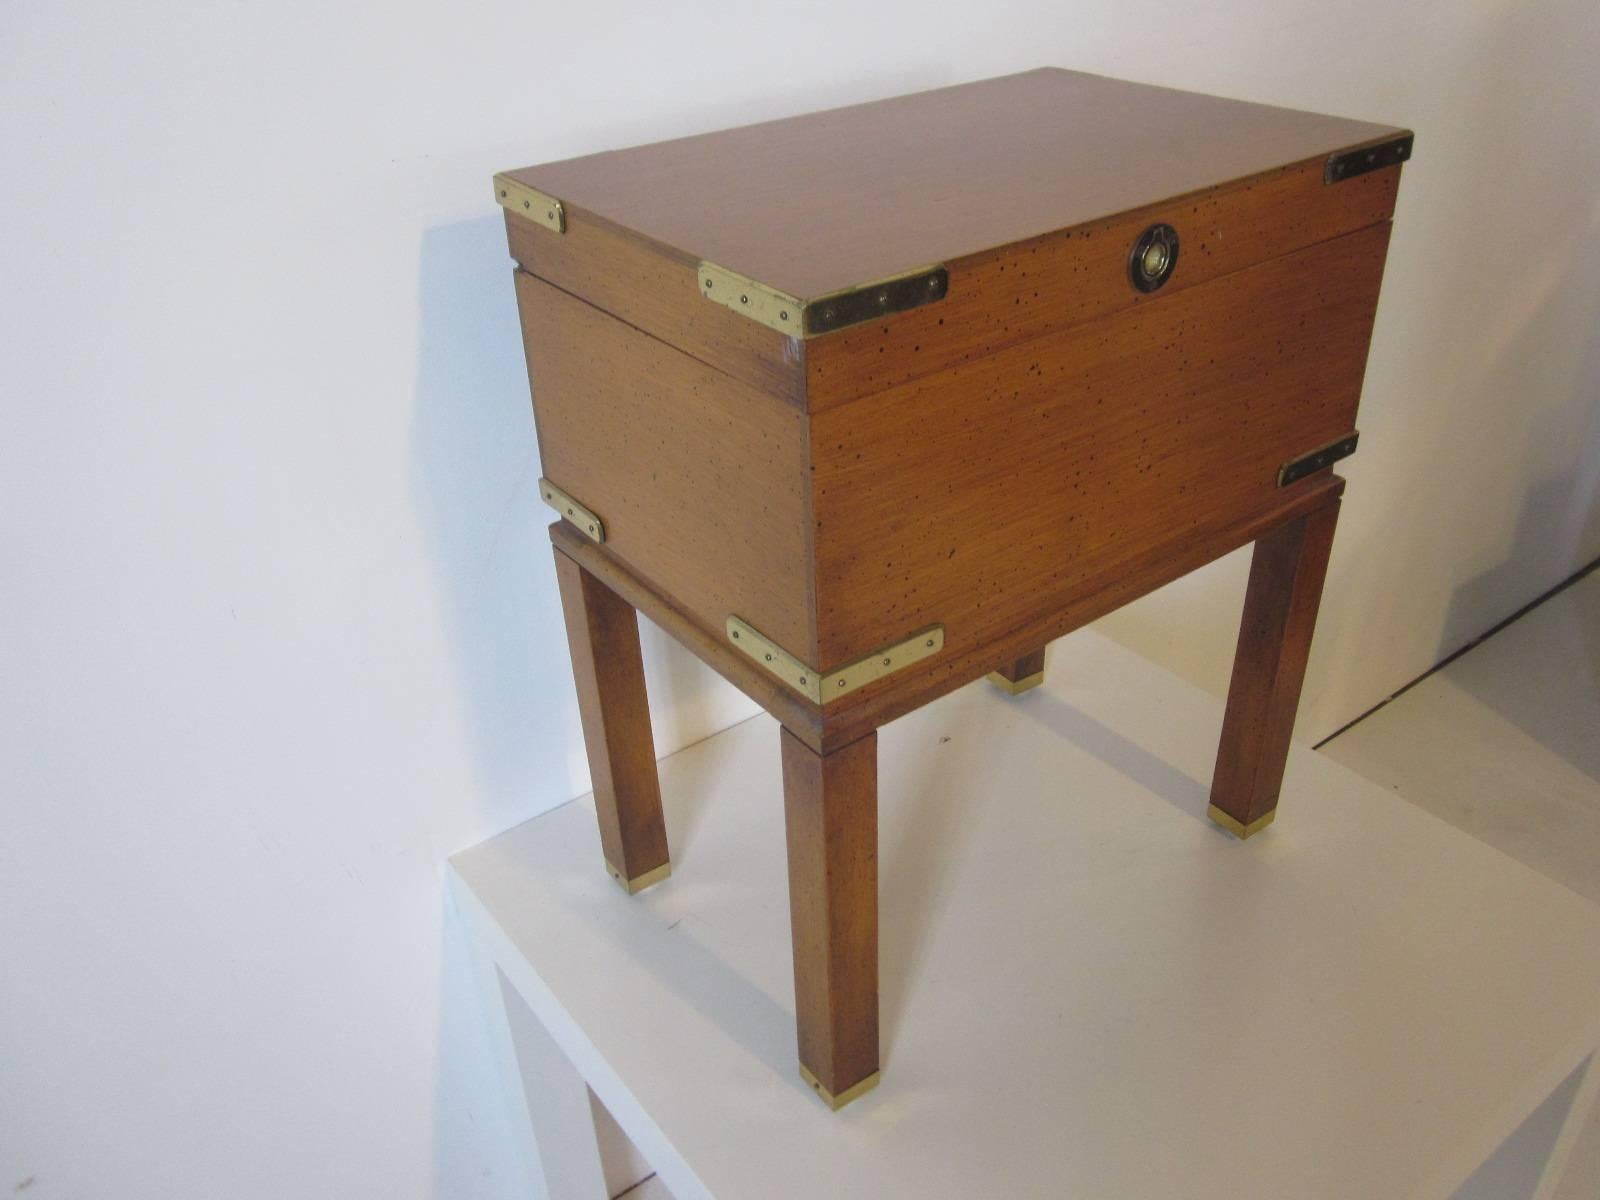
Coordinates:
831	807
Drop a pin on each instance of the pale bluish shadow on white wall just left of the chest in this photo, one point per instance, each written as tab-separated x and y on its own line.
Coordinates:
474	486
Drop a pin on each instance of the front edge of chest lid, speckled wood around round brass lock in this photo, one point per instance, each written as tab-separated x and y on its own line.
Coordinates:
1030	289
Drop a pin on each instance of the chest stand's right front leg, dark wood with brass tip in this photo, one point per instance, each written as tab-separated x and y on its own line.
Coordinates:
1274	642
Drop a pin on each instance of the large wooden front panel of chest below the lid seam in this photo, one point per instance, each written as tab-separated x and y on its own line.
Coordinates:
991	492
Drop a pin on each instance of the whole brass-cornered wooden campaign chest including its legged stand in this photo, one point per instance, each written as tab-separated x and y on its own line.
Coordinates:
868	404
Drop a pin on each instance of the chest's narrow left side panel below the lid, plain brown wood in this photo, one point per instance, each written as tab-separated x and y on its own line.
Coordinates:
698	478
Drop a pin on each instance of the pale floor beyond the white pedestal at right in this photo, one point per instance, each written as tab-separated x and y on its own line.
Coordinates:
1505	743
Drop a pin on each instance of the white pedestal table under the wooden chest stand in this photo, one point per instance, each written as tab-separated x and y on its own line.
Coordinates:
1087	988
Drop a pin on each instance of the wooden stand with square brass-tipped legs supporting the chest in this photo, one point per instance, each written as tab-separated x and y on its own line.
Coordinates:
831	756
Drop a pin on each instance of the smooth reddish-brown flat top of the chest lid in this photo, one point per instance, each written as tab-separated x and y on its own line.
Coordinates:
836	199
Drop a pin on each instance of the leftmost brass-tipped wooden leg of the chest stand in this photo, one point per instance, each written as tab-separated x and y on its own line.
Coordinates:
602	633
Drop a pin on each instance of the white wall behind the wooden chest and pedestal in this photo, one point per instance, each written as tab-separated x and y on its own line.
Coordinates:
278	623
